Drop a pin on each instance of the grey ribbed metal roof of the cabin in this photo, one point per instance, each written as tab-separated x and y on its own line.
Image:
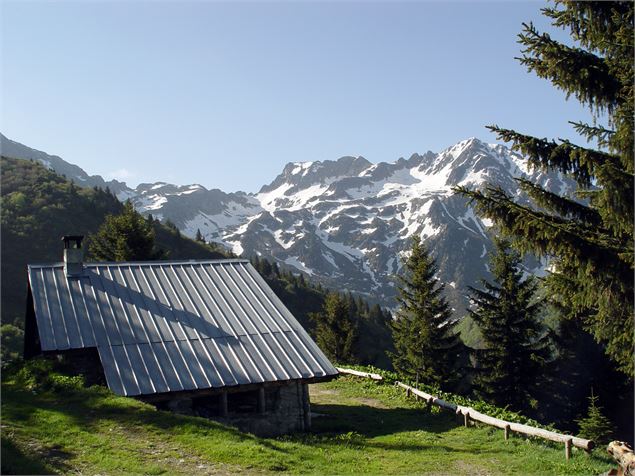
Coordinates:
172	326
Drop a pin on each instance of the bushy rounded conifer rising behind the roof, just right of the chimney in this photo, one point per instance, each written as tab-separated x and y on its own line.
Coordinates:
124	237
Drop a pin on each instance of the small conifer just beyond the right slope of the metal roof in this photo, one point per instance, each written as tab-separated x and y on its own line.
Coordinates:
336	332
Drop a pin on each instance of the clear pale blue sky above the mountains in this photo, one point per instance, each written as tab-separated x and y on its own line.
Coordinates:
224	94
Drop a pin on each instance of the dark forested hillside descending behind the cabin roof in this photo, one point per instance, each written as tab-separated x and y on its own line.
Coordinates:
39	206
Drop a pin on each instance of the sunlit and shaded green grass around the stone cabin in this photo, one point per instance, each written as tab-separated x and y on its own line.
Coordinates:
363	427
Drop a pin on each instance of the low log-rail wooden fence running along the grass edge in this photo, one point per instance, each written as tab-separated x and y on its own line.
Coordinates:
469	414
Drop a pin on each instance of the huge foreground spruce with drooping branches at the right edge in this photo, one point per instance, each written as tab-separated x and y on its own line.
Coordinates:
590	236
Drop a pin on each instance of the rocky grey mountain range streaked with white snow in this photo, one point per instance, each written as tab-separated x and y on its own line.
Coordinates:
347	222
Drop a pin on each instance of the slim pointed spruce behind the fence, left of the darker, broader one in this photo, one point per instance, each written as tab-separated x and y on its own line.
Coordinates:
426	343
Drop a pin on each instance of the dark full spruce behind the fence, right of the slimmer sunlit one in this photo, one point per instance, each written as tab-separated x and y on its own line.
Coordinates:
515	344
